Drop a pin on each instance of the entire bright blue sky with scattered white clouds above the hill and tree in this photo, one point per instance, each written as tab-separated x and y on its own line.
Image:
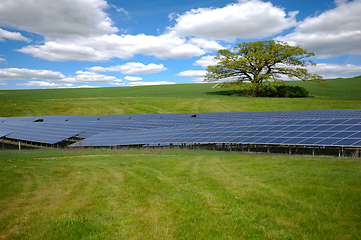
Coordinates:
98	43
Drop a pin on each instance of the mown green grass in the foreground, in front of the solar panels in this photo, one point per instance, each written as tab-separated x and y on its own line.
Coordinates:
114	194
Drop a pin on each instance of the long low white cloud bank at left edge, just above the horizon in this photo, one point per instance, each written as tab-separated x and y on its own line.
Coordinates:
82	77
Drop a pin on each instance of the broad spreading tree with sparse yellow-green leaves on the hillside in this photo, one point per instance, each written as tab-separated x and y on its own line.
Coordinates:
261	62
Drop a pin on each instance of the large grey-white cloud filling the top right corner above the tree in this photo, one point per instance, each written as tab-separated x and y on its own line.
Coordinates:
334	32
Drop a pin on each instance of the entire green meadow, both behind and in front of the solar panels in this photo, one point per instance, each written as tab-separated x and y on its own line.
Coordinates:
176	194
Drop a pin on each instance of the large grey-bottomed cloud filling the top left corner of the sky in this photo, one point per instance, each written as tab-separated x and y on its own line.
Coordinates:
57	19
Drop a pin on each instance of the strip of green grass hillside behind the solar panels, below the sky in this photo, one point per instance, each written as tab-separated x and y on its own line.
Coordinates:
186	98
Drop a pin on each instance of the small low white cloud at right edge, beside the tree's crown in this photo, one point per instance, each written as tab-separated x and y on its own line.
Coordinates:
328	70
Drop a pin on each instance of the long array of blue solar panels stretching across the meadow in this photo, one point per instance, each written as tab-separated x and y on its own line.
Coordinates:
312	128
